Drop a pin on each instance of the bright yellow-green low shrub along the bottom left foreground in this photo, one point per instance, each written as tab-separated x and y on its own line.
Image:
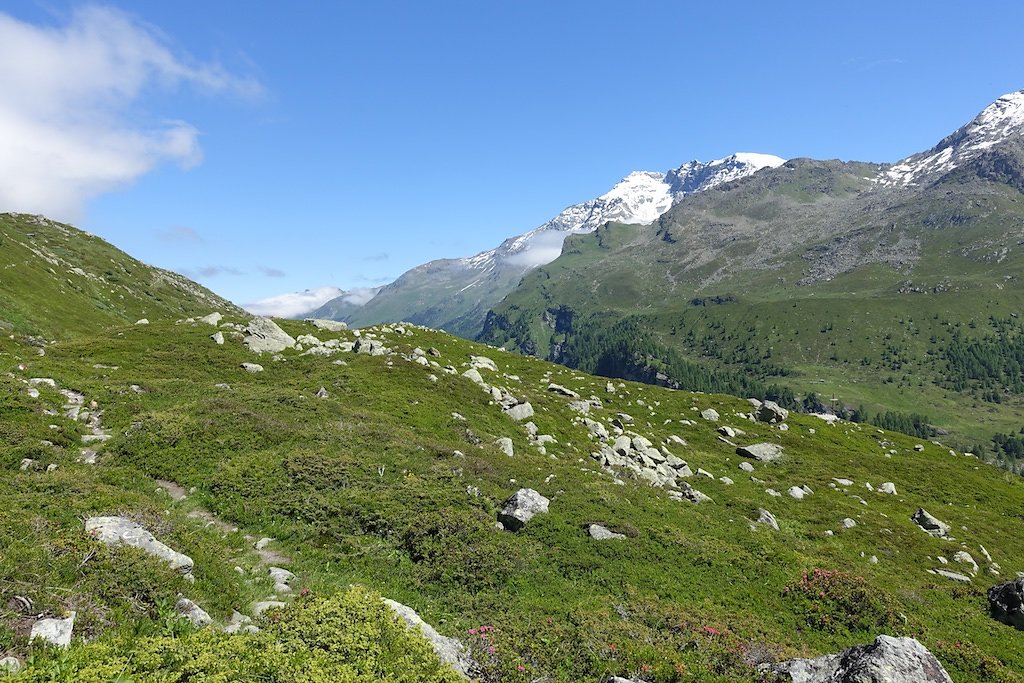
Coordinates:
349	637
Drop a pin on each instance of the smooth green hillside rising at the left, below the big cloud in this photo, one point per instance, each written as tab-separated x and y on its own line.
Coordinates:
56	280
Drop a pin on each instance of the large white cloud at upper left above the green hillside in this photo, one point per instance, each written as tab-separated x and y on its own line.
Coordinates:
67	127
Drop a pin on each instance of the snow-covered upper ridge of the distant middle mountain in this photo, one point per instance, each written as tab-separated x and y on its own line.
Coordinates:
638	199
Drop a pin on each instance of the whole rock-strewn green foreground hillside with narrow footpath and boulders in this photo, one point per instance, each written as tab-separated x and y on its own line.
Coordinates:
382	458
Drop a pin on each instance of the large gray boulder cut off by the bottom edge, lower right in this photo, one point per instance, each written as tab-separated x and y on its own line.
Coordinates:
888	660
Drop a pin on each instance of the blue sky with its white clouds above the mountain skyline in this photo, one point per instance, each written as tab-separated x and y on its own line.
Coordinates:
274	148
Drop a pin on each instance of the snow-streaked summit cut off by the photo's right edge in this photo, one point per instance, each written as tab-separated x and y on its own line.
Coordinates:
999	121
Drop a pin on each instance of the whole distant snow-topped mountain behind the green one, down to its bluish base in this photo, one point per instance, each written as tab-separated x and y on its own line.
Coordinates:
455	294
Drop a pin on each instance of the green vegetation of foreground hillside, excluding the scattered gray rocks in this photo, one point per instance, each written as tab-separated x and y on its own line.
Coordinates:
365	487
